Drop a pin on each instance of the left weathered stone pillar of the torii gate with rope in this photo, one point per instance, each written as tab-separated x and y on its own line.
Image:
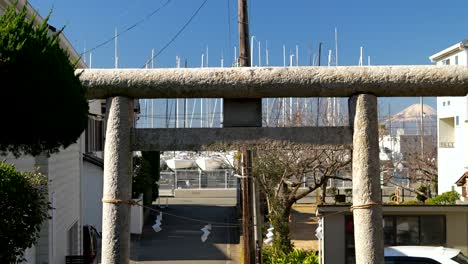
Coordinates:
117	182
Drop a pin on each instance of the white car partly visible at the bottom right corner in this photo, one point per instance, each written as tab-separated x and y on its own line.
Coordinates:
424	254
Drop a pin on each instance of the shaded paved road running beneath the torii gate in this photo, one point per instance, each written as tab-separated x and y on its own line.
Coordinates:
180	239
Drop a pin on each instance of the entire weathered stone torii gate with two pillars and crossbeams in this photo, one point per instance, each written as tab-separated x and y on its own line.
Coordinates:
361	84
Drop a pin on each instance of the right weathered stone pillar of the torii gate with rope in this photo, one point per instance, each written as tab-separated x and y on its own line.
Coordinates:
367	209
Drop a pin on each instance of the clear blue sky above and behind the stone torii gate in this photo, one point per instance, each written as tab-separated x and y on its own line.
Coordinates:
391	32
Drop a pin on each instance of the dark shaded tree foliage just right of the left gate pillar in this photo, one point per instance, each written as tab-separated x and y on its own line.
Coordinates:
146	176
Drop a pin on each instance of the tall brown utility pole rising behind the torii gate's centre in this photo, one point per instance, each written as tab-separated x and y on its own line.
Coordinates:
247	182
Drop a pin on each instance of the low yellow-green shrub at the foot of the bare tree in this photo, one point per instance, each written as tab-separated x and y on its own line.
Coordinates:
298	256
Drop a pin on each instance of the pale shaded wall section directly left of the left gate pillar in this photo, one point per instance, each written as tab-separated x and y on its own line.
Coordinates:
92	187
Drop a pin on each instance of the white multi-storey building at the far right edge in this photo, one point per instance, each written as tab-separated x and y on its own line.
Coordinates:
452	124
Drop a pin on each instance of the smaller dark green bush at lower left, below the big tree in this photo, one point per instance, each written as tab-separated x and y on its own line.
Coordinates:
23	208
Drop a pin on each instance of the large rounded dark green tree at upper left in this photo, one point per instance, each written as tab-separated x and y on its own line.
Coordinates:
43	105
